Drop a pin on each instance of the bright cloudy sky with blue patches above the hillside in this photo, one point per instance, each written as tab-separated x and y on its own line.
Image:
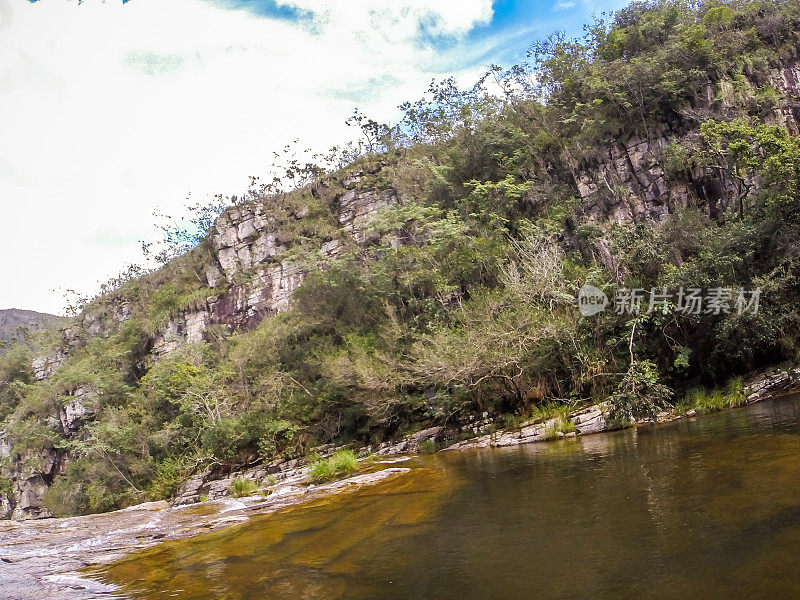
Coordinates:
111	110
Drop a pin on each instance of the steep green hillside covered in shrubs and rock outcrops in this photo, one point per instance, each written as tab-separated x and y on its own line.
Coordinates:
435	278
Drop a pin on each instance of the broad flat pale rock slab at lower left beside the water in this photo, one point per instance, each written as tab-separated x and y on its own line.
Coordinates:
41	559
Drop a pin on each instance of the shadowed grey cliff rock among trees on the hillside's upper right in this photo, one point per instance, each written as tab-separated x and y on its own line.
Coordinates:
629	182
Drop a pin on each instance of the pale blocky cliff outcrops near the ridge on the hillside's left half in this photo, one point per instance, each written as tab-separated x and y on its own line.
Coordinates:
251	268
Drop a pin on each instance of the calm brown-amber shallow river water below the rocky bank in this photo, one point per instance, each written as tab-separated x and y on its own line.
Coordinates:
698	509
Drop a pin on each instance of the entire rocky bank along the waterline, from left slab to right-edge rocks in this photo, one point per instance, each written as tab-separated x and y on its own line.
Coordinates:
41	559
